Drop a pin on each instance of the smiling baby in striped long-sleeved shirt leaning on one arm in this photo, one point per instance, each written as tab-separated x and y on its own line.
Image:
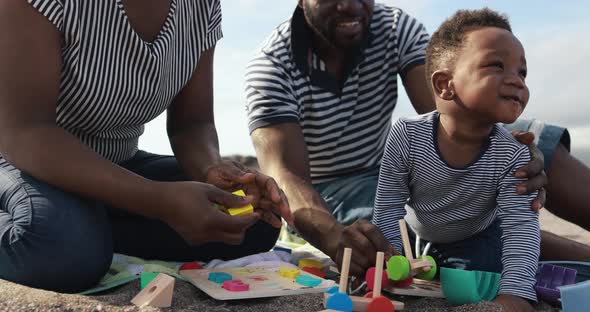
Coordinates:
450	173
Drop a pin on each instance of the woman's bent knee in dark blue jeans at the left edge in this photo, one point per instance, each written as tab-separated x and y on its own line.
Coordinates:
51	239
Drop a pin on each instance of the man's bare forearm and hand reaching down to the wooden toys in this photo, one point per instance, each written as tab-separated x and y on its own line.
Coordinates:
282	153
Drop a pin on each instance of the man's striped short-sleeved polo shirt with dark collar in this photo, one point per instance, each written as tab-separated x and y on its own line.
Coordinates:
344	127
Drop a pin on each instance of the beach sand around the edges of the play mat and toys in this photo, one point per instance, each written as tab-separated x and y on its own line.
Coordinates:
15	297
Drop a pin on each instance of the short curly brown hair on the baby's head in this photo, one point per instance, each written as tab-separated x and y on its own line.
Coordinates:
448	39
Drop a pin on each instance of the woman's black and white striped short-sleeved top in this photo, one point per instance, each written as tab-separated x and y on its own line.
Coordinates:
112	81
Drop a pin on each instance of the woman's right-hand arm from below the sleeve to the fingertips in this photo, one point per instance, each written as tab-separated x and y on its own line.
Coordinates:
193	137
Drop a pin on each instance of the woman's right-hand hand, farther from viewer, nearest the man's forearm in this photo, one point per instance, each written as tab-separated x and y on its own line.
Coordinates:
268	198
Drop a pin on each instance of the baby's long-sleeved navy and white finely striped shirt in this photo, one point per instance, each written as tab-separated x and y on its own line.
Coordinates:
444	204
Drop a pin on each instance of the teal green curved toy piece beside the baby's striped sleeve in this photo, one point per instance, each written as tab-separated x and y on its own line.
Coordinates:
463	287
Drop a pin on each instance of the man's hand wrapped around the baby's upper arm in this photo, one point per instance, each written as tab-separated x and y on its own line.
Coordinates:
537	179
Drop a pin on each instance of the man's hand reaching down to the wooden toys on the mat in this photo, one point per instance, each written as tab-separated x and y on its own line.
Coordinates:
365	239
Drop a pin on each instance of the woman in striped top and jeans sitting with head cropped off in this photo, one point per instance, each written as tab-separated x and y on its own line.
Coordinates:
78	80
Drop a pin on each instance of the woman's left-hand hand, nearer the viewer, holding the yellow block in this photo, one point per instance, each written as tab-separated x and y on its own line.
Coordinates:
188	207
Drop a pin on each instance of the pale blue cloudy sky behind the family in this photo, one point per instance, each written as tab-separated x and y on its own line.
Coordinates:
553	33
